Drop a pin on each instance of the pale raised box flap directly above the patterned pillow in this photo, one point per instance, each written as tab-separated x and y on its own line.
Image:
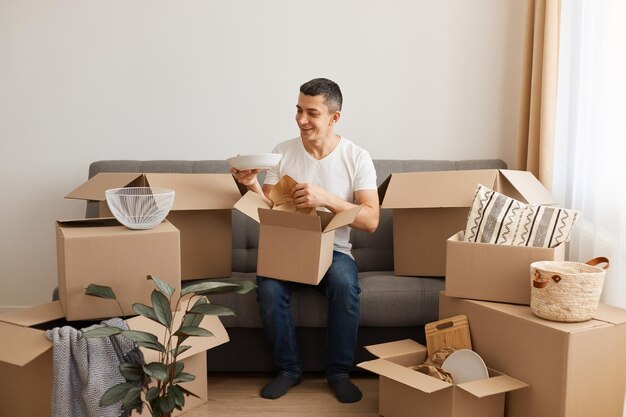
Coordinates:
523	186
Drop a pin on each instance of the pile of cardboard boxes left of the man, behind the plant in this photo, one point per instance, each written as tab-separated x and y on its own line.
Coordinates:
193	242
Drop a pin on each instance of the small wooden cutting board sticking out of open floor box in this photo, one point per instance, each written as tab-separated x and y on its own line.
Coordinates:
453	331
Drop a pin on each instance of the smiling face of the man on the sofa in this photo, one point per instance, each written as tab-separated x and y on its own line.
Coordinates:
314	119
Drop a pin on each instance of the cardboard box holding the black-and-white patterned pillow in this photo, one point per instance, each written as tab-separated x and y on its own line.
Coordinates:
492	272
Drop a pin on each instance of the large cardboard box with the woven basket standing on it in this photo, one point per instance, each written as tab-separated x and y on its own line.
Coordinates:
573	369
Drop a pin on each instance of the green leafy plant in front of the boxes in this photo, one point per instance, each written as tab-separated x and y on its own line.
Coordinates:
158	384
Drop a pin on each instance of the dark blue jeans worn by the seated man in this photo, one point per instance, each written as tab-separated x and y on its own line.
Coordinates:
340	285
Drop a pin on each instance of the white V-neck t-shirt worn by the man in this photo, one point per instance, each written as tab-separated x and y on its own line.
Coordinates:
348	168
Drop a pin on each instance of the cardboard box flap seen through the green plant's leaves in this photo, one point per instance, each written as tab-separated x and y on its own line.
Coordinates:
198	344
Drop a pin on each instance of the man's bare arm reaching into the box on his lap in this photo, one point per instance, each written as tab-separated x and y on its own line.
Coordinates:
309	195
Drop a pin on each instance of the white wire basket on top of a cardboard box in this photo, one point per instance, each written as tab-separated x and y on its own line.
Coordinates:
140	207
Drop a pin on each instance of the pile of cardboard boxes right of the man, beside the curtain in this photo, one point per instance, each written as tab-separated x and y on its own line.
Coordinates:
572	369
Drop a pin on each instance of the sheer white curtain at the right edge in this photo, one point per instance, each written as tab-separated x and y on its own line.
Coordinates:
590	138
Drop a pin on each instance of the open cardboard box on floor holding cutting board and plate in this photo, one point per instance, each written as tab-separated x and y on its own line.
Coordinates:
404	392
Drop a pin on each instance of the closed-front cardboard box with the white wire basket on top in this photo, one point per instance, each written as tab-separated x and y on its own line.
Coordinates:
102	251
